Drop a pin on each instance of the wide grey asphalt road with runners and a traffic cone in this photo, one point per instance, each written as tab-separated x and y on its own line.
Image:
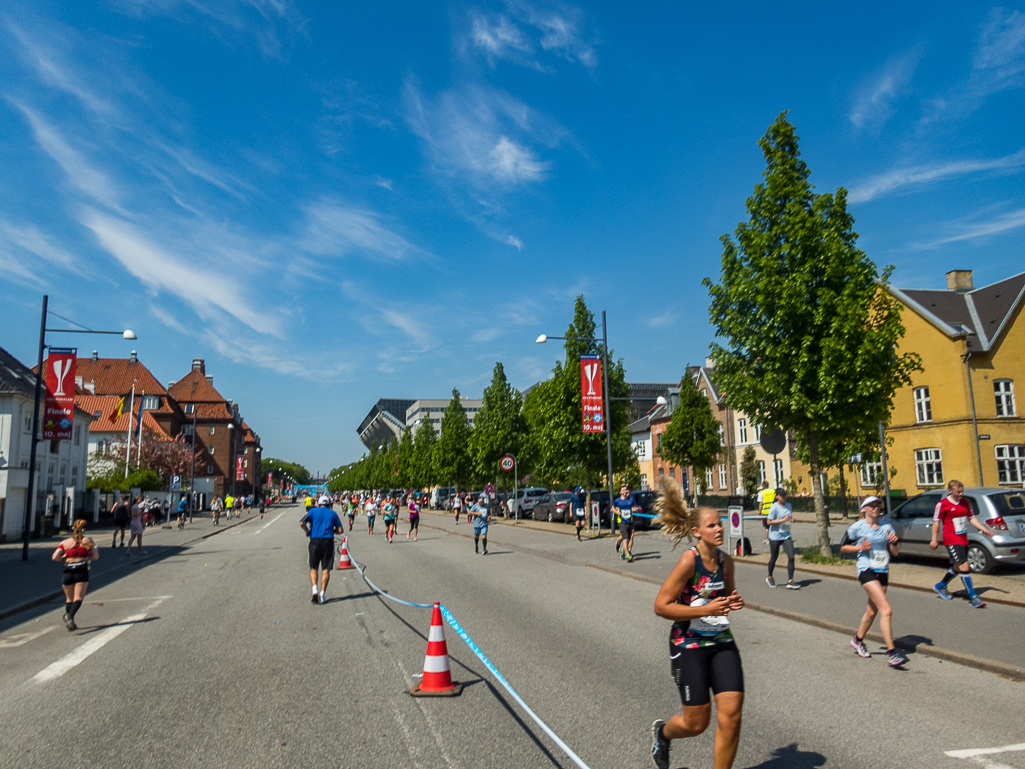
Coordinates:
216	657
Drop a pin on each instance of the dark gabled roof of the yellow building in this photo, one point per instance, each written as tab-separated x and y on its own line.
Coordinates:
982	314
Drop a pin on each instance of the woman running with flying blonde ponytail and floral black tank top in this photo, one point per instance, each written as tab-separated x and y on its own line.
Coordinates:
699	596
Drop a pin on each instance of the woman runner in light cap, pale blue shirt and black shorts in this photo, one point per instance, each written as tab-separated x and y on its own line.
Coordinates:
875	542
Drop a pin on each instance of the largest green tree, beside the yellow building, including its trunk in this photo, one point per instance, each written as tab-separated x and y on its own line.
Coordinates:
809	333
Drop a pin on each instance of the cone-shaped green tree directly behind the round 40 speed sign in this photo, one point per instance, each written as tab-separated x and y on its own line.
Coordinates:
500	427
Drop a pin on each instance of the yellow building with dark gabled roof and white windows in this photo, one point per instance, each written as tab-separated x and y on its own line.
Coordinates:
959	419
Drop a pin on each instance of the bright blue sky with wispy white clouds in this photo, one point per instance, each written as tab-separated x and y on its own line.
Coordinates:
338	203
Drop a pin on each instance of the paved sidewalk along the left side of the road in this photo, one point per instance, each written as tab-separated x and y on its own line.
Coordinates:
29	584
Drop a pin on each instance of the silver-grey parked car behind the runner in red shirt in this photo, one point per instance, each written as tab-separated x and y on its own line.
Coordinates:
1003	511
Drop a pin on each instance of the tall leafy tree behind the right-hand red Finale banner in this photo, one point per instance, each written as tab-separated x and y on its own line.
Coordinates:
558	450
